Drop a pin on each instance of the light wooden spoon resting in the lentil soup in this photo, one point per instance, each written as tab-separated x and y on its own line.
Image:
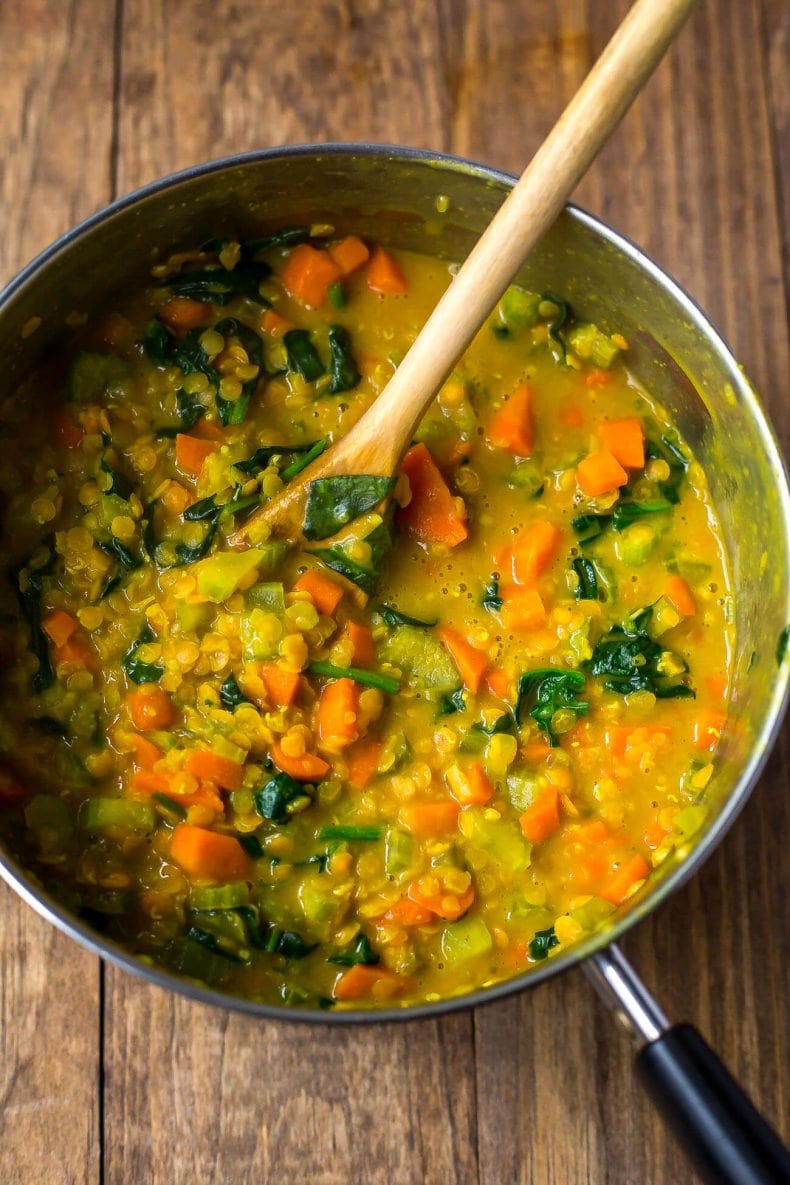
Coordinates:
378	440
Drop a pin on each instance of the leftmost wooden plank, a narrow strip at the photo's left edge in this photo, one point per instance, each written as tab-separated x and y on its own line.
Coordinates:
56	108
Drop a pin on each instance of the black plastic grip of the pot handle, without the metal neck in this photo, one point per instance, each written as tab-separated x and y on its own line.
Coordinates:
724	1136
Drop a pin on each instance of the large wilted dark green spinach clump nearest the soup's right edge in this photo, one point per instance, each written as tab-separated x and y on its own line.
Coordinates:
631	661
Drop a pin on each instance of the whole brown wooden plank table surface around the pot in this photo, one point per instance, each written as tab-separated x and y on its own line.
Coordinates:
107	1080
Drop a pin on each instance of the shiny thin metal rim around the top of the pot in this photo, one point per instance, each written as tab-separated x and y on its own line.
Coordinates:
25	883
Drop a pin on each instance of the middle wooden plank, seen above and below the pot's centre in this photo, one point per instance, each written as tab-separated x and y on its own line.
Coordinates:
194	1094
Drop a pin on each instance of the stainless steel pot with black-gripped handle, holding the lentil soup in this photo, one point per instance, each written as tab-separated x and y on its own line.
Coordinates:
390	195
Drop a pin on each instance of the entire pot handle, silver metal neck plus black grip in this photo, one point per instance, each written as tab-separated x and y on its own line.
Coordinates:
720	1129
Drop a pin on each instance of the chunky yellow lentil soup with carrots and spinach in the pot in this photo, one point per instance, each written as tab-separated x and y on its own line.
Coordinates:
433	745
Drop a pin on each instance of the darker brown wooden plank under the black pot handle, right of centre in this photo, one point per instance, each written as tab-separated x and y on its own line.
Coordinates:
682	180
